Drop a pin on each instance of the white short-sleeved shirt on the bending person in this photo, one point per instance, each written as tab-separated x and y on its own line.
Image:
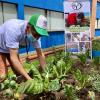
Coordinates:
12	34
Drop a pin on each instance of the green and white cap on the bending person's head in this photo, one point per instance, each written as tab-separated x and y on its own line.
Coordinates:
39	22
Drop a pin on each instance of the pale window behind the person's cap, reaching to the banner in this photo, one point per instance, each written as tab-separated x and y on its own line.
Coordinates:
55	19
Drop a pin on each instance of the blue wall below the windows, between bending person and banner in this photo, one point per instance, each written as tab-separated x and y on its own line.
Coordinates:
54	39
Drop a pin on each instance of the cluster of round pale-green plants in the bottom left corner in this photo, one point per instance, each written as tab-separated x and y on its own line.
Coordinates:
9	86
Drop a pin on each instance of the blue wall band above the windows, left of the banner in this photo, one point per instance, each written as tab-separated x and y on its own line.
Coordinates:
56	5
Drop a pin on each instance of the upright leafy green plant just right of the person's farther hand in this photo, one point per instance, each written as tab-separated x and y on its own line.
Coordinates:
59	67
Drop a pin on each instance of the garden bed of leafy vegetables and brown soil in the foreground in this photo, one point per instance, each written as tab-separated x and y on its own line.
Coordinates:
64	78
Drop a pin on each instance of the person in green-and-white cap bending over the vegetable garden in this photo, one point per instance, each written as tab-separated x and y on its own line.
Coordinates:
15	32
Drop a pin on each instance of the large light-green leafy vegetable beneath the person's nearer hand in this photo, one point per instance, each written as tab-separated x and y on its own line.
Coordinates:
31	87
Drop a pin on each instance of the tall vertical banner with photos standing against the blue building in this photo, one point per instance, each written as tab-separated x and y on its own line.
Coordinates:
77	26
